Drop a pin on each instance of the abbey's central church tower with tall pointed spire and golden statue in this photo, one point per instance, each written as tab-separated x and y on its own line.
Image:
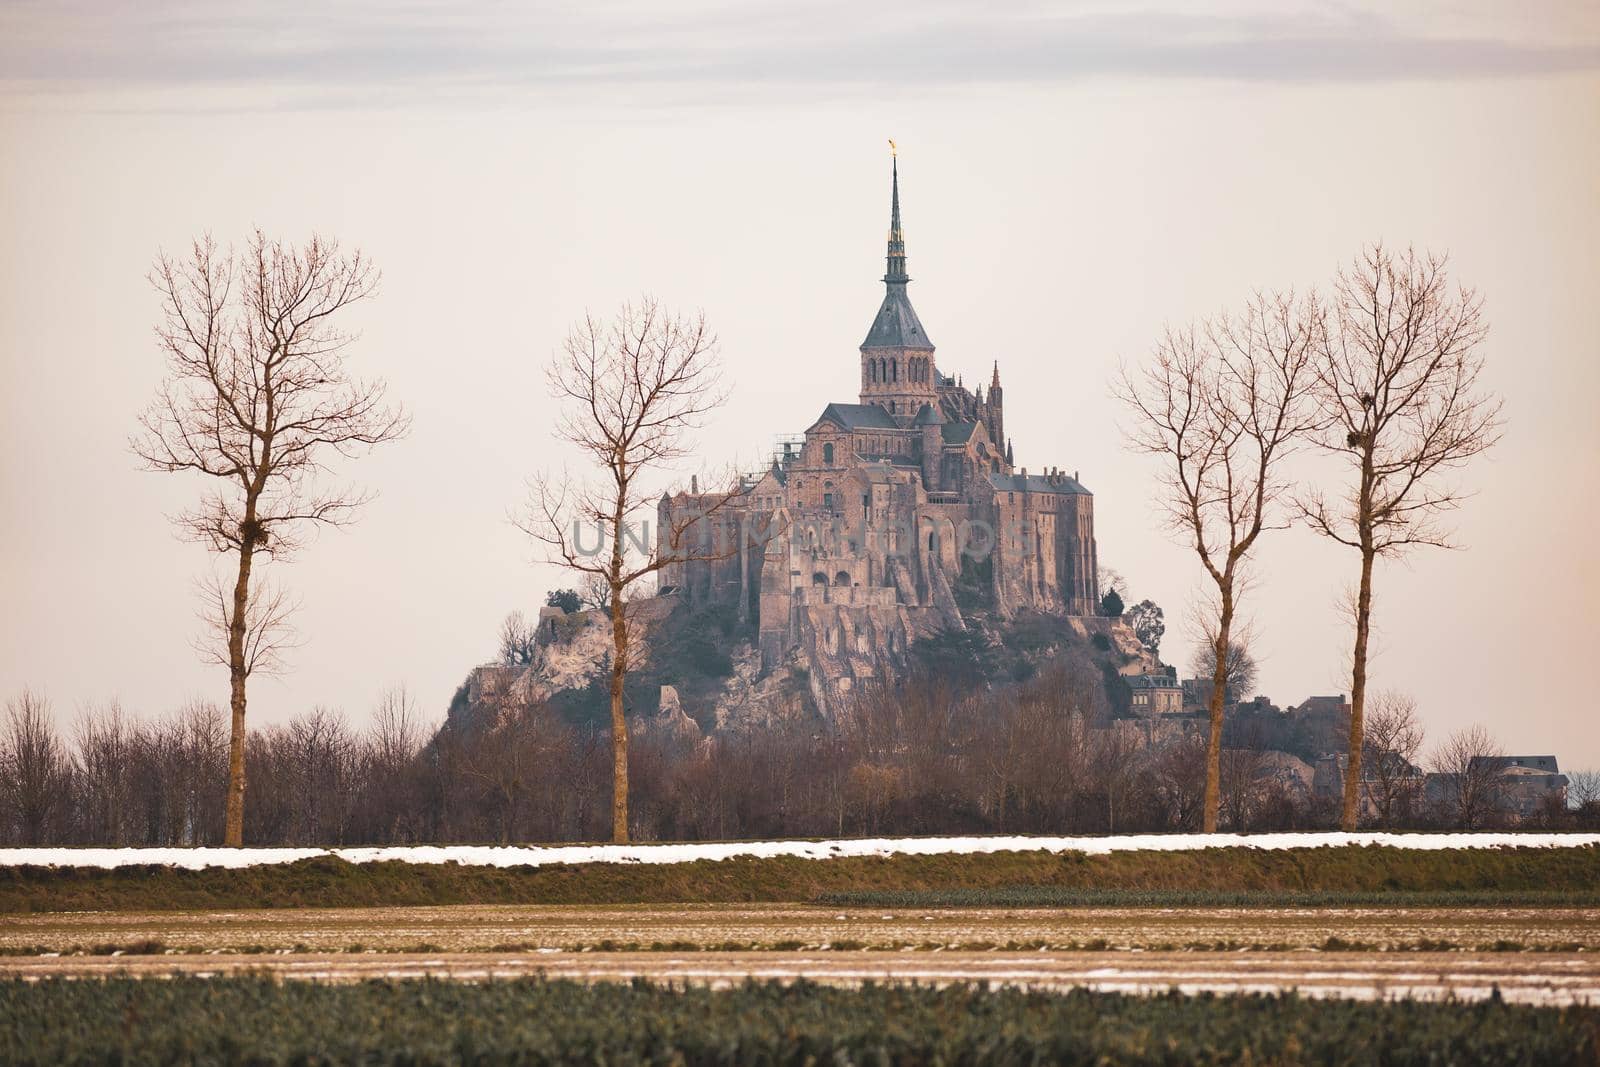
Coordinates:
897	359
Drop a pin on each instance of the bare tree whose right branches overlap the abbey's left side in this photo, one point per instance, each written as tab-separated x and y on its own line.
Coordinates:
633	390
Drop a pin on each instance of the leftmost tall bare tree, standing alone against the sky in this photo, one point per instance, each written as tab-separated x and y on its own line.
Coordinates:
258	401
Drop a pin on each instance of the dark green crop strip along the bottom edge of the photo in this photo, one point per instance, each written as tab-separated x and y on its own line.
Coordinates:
255	1020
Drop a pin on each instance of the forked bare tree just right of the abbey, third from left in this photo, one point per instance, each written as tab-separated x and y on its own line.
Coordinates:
1222	407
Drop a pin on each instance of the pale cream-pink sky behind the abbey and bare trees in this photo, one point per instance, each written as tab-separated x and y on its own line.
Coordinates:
1074	178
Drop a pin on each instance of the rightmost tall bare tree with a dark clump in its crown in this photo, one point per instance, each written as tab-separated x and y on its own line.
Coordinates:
1398	383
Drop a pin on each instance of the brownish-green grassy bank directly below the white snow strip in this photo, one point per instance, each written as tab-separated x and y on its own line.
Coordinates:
1225	876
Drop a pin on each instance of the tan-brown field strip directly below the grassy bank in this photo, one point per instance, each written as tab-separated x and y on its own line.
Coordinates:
527	929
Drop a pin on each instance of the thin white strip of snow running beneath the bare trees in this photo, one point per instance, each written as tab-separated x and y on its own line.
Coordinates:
545	855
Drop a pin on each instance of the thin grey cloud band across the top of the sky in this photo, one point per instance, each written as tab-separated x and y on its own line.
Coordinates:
426	49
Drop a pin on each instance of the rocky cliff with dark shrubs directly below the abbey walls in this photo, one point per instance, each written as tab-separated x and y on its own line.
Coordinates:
698	668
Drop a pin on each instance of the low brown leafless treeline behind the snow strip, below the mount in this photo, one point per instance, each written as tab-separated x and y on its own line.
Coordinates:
929	757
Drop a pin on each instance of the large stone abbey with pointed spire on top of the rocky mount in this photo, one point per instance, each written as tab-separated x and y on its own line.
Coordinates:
892	518
